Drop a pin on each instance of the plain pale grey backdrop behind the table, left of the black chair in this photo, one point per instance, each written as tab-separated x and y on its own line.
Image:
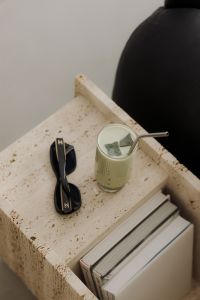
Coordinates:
45	43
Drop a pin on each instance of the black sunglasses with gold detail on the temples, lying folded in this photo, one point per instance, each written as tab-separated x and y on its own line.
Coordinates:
67	197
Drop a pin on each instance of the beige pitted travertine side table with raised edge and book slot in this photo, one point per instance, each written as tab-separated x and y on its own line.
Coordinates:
43	247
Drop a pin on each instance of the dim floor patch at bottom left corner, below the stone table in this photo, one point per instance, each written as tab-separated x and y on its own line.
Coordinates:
11	287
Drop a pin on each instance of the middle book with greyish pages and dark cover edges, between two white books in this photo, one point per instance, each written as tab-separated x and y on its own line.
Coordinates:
134	239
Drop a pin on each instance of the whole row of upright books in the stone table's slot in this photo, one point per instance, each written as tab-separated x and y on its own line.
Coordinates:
146	257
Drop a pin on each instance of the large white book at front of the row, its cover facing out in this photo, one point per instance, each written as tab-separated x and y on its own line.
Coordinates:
161	270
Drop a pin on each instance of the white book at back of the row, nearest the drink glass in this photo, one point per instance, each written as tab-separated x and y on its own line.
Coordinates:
97	252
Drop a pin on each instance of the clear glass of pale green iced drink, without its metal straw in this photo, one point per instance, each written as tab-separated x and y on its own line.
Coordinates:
113	160
